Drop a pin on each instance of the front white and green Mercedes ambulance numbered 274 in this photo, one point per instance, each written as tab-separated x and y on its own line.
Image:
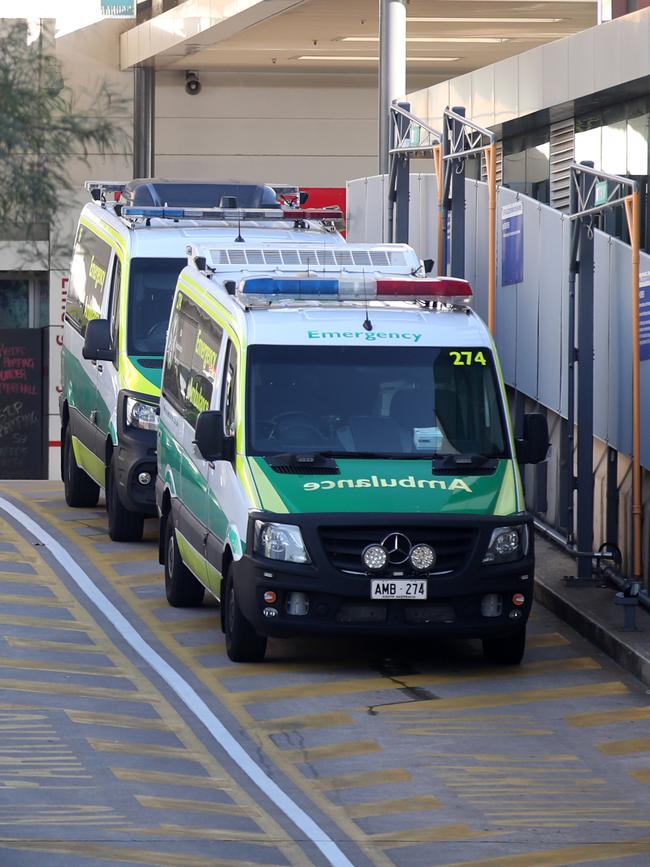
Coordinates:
335	453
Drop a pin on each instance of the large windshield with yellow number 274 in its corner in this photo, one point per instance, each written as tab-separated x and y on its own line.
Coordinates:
396	402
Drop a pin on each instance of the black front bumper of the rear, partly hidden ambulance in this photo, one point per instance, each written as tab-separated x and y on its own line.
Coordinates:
135	453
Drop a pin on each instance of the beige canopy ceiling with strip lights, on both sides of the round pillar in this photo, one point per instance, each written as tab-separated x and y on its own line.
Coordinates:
445	38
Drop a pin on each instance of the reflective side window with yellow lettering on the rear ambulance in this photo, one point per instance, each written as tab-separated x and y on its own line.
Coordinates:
87	279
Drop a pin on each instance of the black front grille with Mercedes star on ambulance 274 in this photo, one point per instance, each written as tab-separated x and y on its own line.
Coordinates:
344	545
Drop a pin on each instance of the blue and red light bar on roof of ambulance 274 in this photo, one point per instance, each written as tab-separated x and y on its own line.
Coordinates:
446	290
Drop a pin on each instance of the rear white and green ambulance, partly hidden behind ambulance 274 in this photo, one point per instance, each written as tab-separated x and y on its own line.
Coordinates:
122	280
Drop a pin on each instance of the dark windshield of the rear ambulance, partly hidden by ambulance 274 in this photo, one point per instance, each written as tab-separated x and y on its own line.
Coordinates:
151	290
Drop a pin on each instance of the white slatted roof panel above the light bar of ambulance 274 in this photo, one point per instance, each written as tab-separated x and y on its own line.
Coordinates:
321	257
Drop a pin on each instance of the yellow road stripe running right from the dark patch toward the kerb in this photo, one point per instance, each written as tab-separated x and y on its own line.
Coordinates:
501	699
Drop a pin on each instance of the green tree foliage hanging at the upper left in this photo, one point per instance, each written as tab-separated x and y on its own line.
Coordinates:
43	123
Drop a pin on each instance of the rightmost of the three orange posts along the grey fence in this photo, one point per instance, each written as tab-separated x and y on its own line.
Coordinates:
633	212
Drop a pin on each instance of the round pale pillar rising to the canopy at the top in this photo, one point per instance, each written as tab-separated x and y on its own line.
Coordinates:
392	68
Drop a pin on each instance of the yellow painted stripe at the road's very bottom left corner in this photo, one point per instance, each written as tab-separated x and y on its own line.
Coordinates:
131	855
